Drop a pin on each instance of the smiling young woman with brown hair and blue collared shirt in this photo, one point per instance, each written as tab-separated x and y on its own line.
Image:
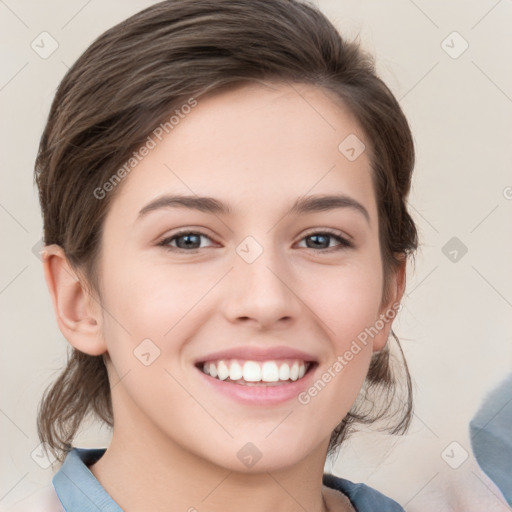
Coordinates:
223	186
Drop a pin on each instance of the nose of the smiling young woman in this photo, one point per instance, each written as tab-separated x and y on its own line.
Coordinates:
262	291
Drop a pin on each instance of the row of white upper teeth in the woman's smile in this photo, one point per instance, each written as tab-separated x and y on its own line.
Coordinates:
255	371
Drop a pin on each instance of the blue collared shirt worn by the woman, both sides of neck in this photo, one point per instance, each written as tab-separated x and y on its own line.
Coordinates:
76	489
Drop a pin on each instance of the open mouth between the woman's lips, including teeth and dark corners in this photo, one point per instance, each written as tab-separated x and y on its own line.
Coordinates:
257	373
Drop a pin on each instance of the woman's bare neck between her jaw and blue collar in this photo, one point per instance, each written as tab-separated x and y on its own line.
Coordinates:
163	477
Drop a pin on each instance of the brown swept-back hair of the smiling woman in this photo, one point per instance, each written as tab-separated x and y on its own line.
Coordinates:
128	82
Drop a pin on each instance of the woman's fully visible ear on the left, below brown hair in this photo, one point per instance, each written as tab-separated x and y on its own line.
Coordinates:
78	313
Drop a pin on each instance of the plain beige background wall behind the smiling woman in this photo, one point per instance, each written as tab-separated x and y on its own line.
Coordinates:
455	327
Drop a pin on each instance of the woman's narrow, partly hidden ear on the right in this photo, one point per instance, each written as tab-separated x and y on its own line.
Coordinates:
389	309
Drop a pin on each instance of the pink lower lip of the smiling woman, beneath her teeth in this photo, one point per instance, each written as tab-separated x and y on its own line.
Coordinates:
260	394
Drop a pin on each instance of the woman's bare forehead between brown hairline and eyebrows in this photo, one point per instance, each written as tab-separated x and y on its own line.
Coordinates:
256	145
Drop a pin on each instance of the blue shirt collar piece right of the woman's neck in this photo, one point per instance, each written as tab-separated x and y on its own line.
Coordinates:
362	497
